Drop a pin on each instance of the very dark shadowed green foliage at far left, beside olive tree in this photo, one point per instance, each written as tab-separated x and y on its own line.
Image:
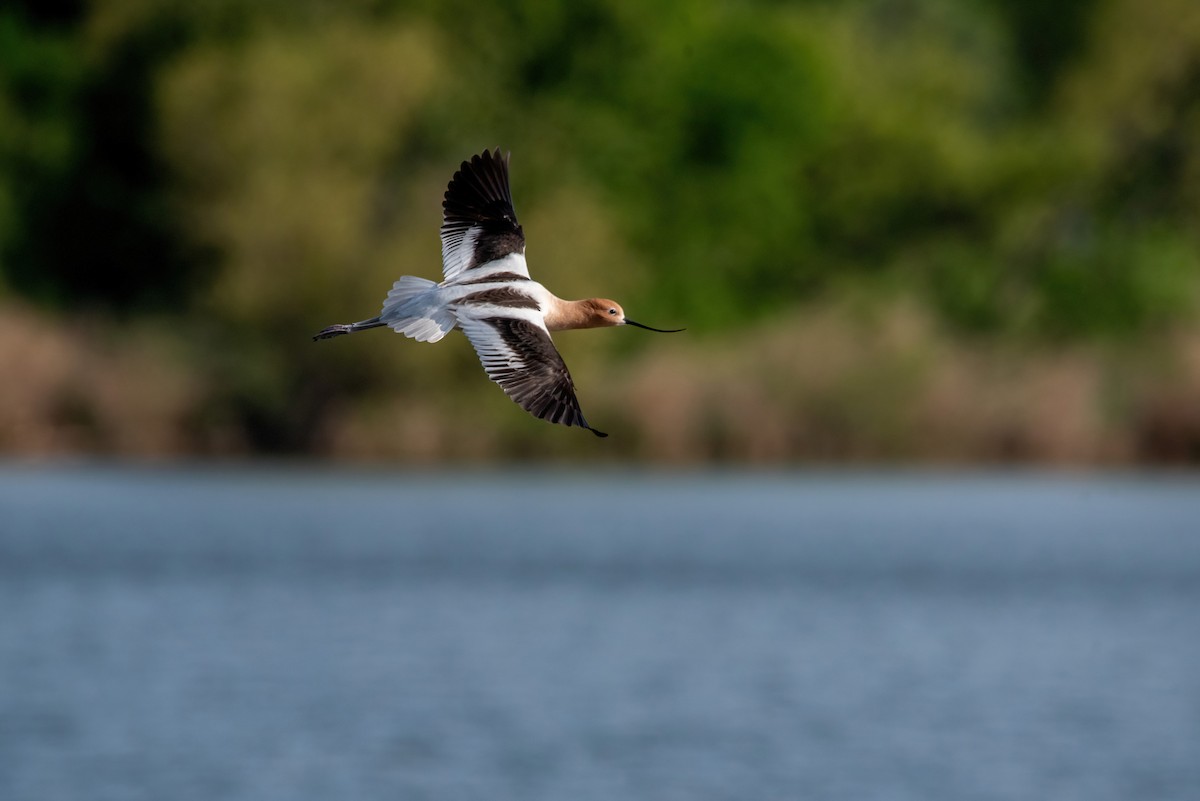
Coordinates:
93	222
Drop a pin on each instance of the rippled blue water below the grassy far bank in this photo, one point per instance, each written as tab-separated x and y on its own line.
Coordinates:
524	636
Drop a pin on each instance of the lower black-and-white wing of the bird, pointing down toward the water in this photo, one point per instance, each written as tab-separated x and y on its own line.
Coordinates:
520	357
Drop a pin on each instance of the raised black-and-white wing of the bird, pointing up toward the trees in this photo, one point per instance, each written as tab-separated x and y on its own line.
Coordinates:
478	222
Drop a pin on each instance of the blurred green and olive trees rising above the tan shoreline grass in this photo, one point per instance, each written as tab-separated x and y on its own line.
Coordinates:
260	170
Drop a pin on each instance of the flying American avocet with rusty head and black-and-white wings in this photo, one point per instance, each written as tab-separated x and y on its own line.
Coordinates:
488	293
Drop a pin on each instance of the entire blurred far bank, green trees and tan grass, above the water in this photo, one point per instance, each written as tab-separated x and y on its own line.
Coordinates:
897	231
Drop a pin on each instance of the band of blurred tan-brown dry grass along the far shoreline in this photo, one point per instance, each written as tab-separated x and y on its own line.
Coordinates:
827	386
